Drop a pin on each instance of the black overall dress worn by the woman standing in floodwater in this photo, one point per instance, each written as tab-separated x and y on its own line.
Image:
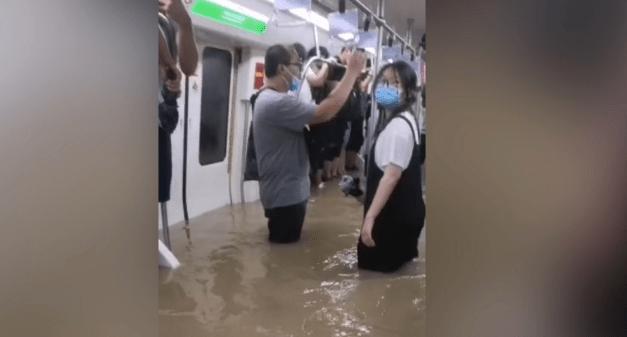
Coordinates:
397	228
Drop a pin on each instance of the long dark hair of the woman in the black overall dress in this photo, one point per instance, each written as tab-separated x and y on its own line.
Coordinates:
409	83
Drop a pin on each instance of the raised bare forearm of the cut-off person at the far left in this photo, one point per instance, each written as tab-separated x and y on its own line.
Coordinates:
188	52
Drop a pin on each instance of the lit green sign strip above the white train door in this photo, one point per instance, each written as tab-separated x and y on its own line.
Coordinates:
229	17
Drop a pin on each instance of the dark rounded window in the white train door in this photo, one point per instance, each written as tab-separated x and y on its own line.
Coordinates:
215	103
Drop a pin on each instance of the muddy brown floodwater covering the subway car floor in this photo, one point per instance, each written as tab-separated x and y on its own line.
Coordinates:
232	282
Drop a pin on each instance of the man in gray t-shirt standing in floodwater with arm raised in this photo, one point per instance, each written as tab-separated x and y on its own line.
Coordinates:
279	119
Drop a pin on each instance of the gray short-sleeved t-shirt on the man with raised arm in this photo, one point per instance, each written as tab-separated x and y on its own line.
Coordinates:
279	119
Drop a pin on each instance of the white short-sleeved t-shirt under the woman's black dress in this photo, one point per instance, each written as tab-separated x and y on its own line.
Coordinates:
395	144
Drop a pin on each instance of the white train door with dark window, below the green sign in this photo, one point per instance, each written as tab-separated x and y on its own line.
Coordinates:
211	105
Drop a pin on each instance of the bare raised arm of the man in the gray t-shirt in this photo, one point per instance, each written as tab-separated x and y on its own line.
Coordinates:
329	107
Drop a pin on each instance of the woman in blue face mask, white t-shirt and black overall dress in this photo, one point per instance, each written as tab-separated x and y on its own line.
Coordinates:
394	208
